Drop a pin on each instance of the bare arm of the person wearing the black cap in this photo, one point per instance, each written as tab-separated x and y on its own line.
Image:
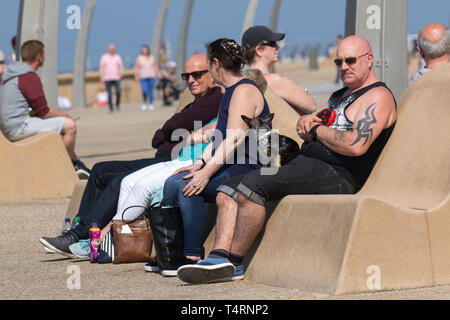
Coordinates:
291	93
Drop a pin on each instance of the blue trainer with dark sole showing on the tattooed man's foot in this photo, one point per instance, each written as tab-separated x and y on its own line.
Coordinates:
207	270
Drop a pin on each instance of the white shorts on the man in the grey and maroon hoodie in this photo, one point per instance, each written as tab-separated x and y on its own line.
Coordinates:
35	125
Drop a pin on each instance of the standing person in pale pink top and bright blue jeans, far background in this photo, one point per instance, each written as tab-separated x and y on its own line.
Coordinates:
146	70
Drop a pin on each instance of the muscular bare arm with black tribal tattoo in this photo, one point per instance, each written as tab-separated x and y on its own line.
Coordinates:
375	113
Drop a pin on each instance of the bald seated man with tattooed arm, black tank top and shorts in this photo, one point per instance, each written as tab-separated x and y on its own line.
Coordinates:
333	160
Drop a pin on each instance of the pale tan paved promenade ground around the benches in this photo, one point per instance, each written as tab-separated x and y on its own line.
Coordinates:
27	272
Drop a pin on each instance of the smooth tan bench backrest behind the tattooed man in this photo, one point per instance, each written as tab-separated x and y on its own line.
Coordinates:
414	168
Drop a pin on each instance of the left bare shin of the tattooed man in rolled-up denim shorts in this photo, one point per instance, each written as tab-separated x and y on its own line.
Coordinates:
226	221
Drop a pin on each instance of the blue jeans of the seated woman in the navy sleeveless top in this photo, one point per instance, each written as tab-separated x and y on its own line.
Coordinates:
192	208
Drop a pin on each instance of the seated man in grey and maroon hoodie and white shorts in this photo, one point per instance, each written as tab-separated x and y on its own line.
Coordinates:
23	107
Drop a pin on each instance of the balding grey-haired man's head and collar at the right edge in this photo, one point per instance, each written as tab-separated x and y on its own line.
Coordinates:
434	47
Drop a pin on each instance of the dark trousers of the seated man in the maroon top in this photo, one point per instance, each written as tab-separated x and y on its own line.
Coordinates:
99	202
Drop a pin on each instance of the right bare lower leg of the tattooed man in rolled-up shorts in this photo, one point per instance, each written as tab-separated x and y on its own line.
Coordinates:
250	221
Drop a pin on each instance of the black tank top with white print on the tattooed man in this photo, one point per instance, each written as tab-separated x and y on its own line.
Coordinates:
355	169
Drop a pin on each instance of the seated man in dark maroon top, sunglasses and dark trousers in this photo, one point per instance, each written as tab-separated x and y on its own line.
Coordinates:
99	202
